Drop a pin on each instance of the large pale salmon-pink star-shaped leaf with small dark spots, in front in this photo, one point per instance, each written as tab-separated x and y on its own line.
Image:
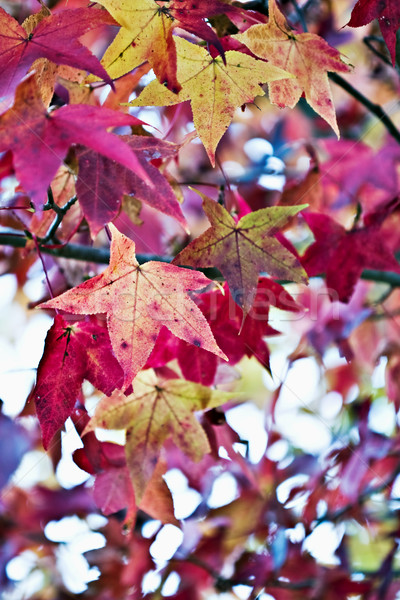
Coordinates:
139	300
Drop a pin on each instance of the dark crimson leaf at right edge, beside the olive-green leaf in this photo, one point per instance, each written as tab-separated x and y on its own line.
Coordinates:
343	255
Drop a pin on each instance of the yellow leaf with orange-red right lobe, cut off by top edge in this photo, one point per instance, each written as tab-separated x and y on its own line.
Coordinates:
145	35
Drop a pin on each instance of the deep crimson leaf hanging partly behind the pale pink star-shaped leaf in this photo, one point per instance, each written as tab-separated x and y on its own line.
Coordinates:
72	353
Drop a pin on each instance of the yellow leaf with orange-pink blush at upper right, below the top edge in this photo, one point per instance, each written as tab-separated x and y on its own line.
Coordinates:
306	55
